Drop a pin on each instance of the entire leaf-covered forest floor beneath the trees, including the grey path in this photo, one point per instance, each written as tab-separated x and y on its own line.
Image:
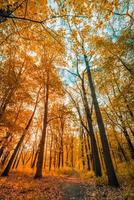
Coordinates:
21	186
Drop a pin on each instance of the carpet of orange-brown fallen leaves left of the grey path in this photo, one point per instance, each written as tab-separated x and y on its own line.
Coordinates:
18	187
